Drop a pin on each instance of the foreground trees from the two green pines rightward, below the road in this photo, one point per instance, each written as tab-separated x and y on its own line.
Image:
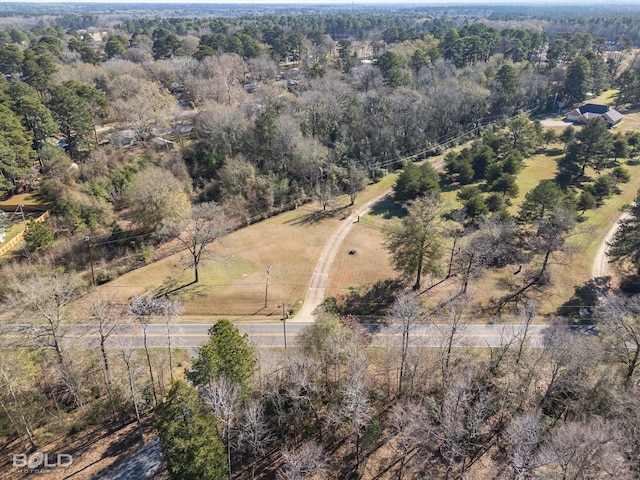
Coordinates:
441	412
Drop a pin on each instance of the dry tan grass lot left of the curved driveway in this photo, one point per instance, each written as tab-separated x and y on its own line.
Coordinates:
234	284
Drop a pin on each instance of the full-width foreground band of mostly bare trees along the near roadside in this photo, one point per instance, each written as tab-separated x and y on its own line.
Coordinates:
238	411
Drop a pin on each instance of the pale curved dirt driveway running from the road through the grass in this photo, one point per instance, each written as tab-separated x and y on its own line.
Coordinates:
320	277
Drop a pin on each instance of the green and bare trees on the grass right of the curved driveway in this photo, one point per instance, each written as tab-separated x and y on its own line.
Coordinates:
484	235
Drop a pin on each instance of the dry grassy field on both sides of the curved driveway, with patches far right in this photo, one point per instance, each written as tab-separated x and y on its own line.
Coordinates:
291	243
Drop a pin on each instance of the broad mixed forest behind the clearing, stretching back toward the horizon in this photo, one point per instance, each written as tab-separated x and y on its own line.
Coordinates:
254	153
